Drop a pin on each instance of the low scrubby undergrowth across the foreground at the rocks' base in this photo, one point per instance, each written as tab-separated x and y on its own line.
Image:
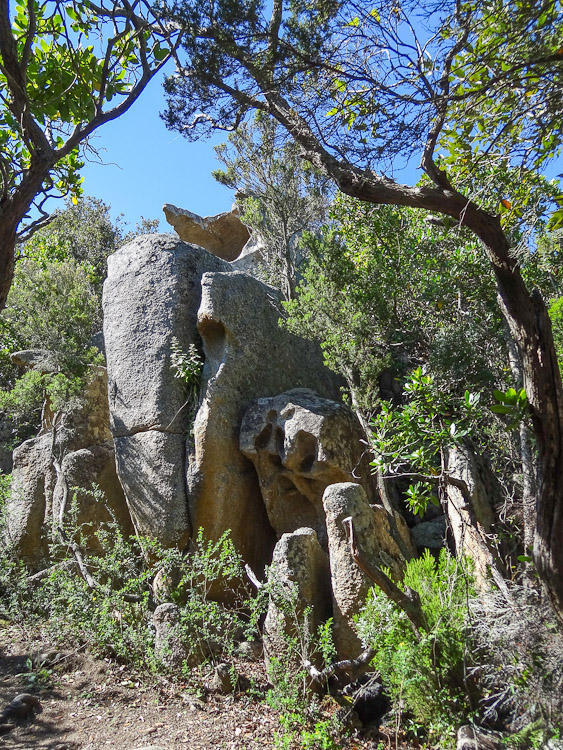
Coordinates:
481	658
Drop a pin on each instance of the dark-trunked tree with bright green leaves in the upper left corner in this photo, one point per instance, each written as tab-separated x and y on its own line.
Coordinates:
66	68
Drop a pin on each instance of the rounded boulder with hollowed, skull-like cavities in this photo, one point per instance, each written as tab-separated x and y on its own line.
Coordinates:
300	443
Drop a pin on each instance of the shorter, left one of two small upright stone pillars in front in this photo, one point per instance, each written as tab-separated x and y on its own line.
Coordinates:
299	578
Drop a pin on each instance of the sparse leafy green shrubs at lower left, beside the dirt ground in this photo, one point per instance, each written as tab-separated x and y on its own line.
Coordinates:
114	616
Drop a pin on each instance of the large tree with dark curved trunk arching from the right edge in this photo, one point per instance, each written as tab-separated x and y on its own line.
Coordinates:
358	86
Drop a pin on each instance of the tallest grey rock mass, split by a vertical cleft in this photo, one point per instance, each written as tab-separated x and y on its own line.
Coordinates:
153	291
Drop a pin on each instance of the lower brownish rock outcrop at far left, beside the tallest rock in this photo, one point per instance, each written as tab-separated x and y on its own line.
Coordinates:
79	445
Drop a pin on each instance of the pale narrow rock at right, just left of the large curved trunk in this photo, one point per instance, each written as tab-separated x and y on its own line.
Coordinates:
472	517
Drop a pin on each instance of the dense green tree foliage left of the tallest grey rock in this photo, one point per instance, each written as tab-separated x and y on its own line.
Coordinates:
55	304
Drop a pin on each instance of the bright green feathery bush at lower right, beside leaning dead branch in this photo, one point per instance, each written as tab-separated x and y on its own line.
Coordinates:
424	672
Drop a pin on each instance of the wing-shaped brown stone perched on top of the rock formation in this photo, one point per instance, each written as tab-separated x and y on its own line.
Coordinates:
223	235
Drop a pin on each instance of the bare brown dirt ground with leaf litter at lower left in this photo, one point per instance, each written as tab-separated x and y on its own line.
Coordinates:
92	703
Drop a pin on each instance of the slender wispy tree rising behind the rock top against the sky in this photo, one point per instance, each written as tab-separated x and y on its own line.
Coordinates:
280	195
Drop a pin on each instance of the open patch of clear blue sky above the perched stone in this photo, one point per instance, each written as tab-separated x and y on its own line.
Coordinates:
147	165
